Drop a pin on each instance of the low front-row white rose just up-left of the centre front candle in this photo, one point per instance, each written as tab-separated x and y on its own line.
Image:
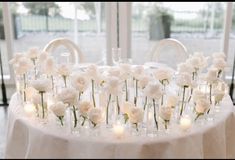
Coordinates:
95	115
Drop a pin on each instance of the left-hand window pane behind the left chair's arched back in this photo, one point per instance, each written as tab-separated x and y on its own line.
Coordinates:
37	23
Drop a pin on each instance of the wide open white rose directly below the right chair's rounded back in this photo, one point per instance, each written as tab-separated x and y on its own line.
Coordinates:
163	74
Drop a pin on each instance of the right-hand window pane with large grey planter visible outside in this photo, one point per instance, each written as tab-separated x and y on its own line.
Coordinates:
198	25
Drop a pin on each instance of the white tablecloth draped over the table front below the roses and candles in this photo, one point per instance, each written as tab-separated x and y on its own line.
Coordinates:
29	139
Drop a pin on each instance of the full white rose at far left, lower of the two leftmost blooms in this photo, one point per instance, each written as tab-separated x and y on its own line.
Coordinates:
23	65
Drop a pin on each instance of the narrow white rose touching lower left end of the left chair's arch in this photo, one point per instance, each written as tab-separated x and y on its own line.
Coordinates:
49	66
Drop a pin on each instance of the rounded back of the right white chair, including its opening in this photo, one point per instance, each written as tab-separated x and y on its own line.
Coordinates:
169	51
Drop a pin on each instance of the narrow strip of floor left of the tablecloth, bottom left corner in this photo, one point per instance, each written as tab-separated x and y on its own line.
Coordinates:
3	124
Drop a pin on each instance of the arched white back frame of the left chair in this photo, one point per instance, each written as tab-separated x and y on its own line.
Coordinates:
75	52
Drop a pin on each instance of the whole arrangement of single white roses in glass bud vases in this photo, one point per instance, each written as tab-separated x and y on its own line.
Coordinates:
126	85
